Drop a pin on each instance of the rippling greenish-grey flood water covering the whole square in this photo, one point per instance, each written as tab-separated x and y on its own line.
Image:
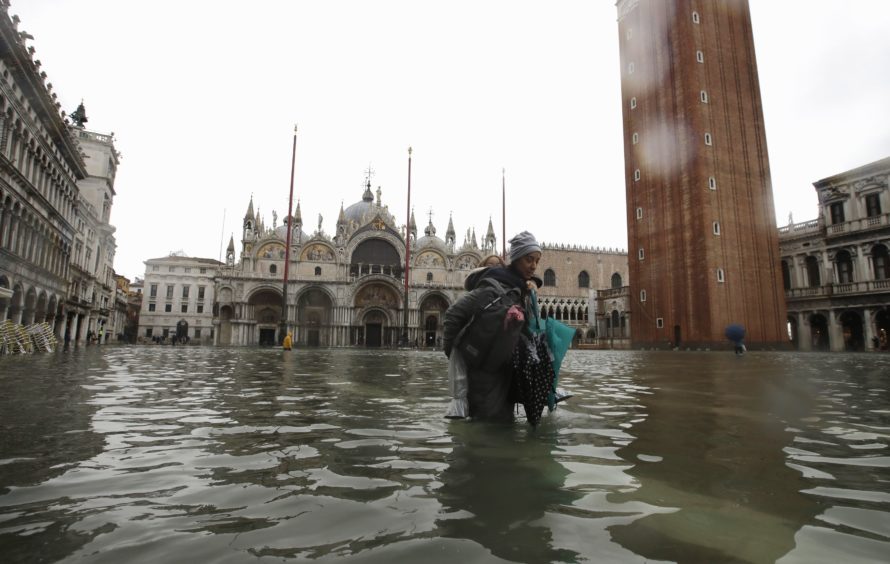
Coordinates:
182	454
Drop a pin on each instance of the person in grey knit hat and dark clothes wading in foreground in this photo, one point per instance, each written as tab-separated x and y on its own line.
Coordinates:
482	329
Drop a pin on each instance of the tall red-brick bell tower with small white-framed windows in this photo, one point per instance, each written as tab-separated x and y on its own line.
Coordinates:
703	248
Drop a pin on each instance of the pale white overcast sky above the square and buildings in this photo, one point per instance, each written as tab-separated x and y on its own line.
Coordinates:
202	97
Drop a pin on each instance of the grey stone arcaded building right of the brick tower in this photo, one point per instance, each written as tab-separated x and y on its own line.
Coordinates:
836	268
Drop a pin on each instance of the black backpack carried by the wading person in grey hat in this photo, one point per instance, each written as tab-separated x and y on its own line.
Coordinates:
483	341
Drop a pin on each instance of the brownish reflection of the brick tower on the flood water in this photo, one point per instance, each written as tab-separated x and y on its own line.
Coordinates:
712	447
